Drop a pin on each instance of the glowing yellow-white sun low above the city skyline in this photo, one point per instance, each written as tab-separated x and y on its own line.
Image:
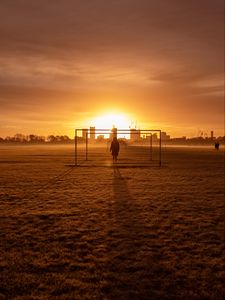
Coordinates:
110	120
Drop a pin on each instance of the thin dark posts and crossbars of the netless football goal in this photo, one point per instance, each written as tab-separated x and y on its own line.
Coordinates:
118	131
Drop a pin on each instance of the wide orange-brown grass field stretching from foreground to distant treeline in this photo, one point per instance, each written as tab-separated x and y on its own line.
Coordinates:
111	232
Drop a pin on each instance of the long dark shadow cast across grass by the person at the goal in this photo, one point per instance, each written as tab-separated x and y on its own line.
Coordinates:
129	258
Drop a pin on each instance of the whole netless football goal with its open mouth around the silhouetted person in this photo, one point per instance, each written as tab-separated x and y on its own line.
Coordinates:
137	147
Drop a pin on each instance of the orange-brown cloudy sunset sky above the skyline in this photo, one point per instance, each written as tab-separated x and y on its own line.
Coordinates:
64	63
